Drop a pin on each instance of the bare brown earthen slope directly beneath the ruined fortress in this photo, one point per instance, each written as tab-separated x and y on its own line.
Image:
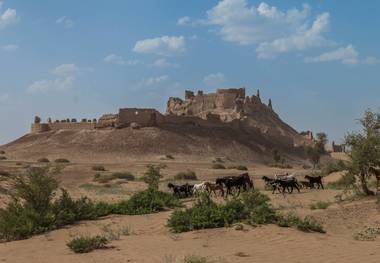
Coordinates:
114	145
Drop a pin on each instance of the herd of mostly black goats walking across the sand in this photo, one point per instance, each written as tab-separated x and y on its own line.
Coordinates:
233	185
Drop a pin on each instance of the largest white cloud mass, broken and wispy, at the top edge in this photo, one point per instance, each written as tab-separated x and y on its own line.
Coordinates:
273	30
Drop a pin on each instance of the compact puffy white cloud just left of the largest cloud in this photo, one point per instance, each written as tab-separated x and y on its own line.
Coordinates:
164	46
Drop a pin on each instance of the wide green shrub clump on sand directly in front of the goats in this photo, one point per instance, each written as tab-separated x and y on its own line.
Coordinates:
252	208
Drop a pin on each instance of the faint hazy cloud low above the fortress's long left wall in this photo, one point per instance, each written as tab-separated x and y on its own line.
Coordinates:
65	78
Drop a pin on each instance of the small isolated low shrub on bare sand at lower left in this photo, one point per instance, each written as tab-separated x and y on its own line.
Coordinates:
85	244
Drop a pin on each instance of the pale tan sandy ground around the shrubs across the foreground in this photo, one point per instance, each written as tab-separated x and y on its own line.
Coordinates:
149	240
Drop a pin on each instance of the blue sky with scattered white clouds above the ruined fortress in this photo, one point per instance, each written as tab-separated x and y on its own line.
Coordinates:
318	61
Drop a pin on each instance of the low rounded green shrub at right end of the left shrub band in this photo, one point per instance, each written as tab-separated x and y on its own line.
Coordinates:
146	202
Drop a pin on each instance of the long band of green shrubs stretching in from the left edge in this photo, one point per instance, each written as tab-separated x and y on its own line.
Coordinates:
36	208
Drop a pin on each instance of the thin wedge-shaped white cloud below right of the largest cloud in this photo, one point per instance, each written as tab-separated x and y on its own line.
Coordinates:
346	55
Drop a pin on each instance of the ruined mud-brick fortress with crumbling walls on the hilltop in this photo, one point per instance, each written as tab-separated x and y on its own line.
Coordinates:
224	108
